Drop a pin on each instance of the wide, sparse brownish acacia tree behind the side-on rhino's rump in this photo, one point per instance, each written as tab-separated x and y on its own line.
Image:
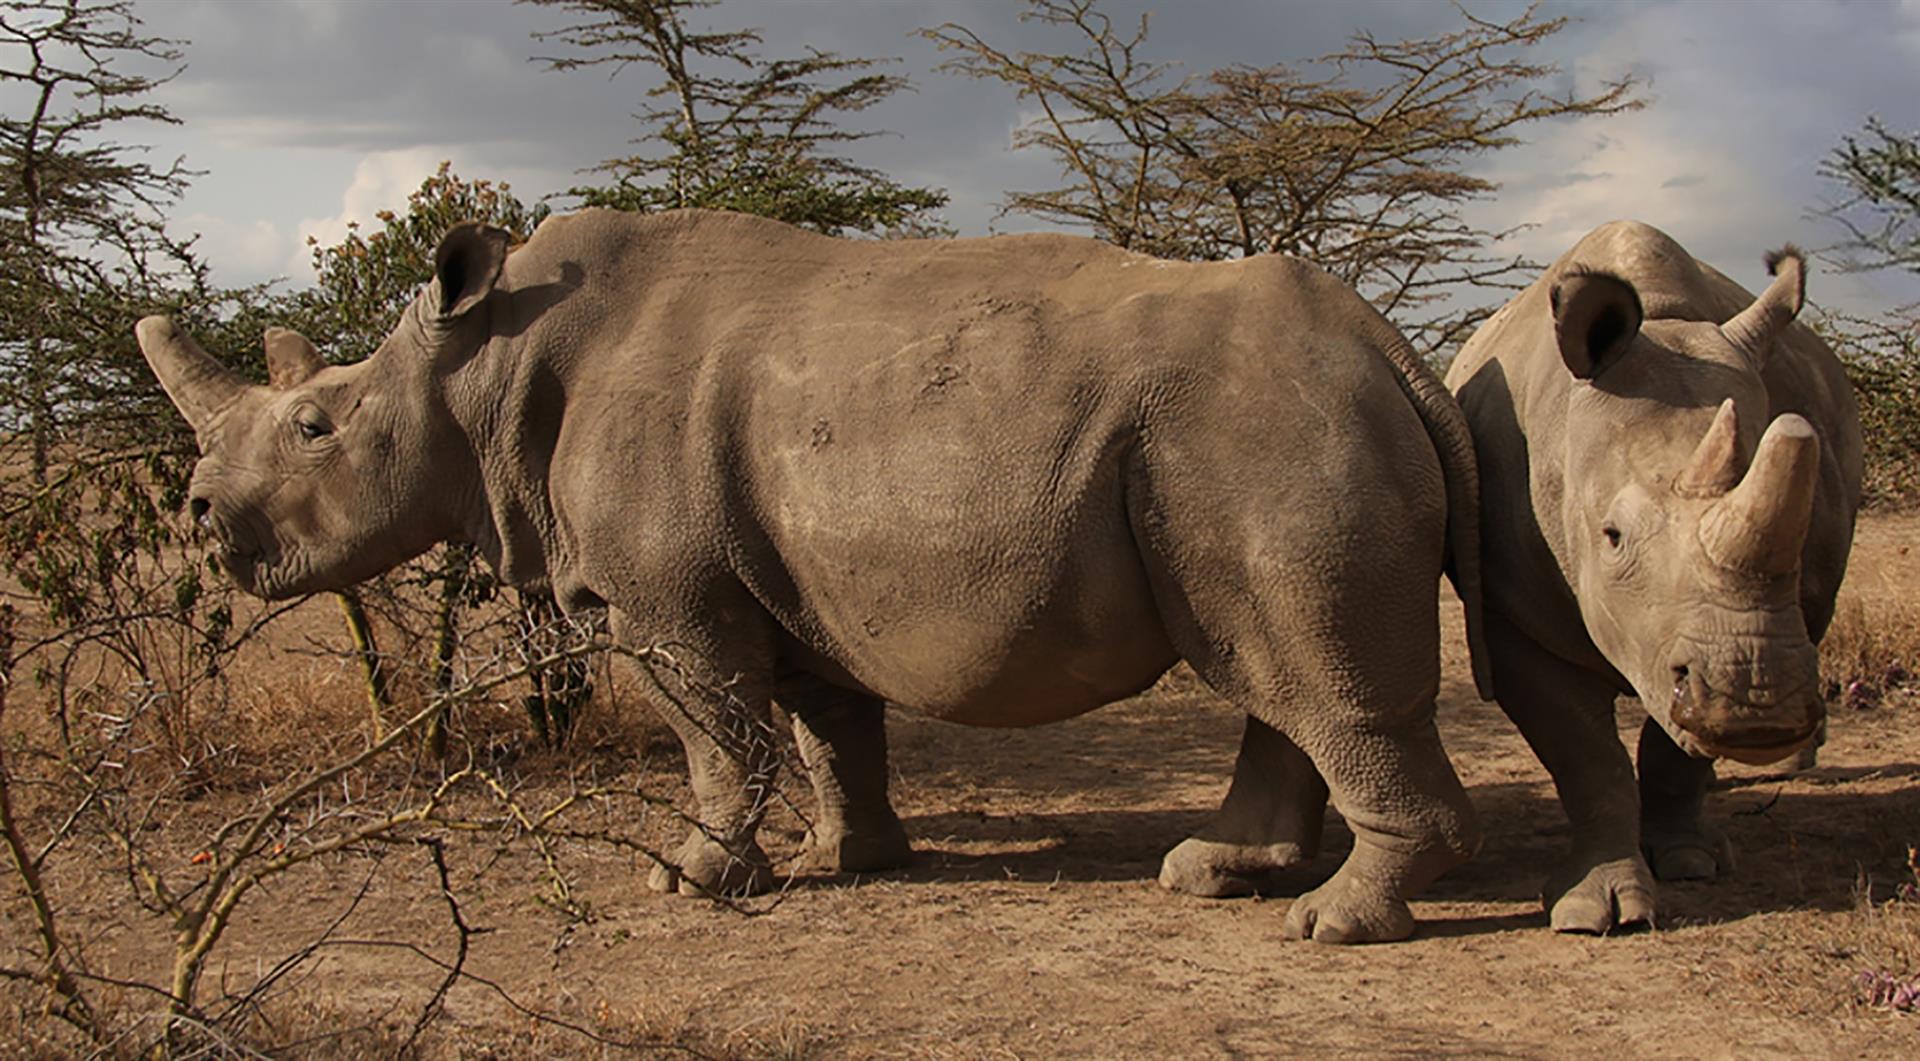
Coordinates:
1356	160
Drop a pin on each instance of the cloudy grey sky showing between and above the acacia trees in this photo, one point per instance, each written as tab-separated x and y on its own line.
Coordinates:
308	114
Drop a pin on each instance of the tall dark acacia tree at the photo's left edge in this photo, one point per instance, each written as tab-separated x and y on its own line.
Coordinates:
82	218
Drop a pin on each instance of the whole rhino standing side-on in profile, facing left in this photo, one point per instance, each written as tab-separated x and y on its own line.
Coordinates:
996	481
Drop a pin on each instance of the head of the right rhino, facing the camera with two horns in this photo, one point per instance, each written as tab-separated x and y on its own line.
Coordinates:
1685	521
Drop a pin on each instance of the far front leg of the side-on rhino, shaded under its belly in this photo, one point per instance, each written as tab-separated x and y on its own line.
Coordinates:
844	743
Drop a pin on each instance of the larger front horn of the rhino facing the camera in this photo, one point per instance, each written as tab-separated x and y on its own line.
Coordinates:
1762	525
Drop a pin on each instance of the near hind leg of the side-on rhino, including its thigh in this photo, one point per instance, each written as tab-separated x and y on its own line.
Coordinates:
1318	619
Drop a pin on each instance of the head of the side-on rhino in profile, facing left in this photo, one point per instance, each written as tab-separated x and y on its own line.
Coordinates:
335	473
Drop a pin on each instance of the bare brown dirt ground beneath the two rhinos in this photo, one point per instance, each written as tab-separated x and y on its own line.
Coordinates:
1032	924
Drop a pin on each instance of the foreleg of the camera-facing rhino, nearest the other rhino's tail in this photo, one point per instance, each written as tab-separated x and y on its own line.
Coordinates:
1566	715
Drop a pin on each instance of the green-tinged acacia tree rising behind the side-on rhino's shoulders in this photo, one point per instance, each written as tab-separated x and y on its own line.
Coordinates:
729	130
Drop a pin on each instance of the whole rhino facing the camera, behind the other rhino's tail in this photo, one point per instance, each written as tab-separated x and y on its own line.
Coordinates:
1669	479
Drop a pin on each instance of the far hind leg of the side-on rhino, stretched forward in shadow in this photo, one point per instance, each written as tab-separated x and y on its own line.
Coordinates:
1270	820
